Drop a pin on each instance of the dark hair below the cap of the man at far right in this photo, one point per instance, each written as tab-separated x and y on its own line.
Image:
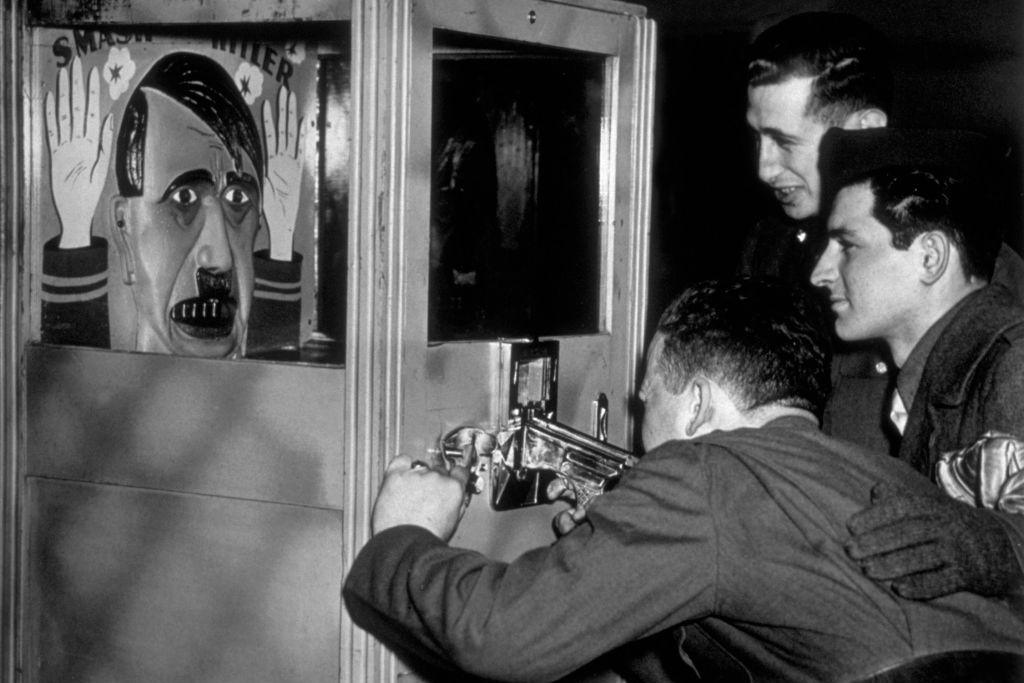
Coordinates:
912	201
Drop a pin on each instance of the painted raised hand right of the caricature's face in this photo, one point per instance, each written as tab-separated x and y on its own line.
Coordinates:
285	148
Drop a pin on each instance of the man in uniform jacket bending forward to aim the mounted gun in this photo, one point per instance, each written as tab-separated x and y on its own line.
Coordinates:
734	524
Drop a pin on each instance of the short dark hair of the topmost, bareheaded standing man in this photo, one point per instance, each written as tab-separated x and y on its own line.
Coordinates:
847	59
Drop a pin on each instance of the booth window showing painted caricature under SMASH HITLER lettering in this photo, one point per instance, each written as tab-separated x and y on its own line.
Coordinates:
200	206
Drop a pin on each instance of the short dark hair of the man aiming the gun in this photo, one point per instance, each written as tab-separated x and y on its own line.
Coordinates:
766	341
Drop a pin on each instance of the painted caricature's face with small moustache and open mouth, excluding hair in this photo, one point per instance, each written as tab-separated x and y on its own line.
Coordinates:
191	236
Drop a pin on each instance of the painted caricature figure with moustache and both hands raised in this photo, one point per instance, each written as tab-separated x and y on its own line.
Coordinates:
192	186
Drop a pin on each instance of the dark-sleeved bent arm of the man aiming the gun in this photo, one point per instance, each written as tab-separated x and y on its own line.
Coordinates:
553	610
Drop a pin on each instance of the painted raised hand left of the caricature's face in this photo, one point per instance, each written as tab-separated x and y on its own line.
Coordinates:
78	155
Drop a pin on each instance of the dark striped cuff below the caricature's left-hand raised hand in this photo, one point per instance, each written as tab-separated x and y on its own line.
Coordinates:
74	295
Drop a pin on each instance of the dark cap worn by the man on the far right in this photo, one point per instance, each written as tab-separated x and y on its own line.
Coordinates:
849	156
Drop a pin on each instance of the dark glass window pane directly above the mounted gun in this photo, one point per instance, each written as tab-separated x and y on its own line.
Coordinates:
516	243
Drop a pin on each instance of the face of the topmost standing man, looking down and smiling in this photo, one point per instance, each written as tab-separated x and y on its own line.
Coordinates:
788	144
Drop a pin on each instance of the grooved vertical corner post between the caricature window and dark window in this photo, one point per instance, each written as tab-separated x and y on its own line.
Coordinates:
374	386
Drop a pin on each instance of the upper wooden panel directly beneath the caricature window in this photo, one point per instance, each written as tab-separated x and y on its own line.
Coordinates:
247	430
